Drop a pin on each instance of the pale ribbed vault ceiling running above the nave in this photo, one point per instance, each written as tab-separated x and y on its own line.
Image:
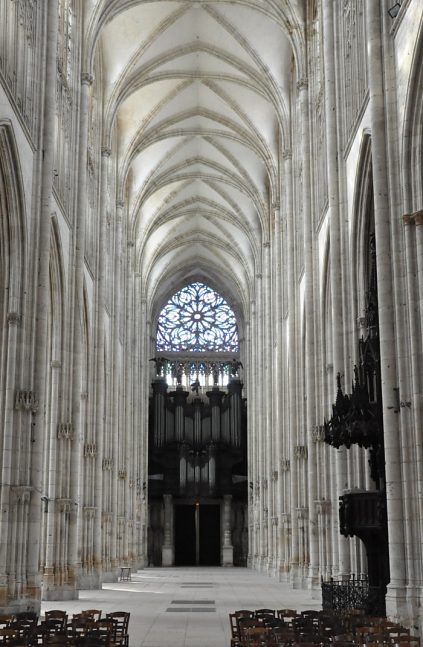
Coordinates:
197	93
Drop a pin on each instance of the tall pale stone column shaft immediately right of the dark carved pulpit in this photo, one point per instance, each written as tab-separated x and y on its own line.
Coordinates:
388	364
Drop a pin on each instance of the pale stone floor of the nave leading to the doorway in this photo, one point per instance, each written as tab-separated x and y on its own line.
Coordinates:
187	607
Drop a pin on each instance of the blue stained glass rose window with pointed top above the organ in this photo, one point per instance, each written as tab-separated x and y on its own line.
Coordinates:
197	319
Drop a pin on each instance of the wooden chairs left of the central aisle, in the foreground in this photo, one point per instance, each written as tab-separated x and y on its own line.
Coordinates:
86	629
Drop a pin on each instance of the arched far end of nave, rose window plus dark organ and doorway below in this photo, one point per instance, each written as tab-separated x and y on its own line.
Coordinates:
197	434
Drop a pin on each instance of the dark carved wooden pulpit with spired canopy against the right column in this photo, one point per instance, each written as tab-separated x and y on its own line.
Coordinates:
357	420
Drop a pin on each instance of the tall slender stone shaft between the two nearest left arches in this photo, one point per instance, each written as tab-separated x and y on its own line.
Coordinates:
32	591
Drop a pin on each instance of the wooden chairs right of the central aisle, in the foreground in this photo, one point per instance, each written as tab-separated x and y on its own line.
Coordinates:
280	627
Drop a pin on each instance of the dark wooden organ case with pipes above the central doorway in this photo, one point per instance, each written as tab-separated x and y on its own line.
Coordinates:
198	464
